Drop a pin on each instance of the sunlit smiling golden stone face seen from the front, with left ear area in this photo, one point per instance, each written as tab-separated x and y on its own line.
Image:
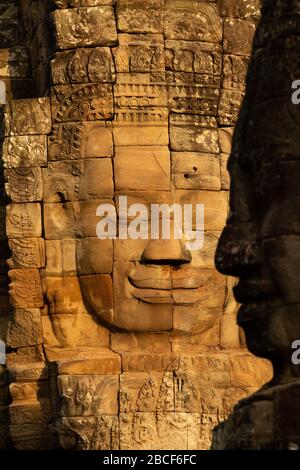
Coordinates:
135	285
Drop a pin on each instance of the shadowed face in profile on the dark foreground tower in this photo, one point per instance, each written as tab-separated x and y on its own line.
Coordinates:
260	243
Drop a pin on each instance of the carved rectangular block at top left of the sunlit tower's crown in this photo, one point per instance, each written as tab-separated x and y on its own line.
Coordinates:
85	27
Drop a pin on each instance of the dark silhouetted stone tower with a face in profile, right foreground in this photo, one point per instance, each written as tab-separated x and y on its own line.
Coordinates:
260	243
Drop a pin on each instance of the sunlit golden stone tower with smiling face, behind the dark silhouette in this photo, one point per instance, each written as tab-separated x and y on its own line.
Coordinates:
129	344
